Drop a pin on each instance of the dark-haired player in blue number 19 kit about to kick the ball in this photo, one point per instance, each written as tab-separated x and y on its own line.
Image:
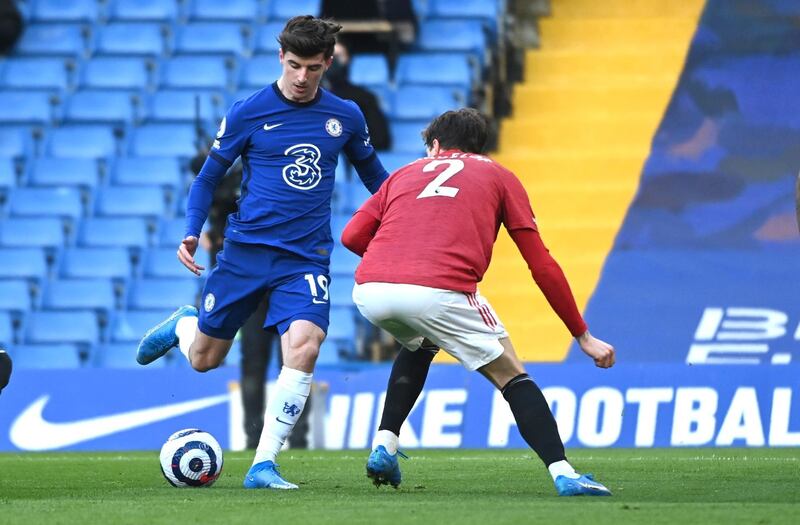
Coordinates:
289	136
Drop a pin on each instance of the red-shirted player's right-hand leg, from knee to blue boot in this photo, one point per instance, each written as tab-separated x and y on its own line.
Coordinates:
536	423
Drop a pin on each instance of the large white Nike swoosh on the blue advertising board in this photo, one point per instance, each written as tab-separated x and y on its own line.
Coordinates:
31	431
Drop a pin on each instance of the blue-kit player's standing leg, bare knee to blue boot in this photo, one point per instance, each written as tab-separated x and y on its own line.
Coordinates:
300	346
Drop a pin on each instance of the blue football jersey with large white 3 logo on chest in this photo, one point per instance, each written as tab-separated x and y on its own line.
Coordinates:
289	154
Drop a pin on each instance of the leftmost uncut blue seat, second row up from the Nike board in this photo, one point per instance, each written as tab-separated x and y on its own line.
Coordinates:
58	327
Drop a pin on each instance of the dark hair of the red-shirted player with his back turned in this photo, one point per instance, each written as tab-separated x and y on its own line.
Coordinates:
465	129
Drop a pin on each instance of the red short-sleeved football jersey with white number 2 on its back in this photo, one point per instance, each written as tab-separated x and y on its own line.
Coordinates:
439	218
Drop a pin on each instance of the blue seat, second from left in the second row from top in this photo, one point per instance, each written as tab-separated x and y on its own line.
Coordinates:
123	38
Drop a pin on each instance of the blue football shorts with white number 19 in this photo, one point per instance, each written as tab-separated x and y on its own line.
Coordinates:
298	289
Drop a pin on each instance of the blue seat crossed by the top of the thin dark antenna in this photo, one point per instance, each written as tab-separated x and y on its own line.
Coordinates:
179	105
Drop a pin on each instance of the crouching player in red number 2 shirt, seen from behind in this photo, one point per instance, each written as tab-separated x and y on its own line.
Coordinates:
449	206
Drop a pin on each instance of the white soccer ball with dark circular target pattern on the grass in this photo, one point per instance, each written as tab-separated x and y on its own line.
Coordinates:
191	458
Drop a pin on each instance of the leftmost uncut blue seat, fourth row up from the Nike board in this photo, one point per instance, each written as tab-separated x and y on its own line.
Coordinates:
85	263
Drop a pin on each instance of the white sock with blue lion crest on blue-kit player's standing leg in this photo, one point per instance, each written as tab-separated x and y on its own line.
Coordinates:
285	403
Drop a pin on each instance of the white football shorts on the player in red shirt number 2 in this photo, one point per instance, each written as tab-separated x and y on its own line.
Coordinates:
462	324
